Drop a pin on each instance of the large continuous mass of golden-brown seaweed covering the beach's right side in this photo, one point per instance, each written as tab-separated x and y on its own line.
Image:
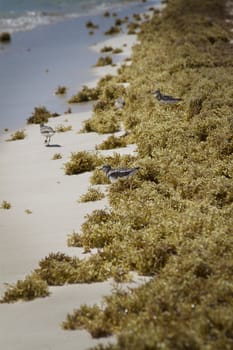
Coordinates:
173	221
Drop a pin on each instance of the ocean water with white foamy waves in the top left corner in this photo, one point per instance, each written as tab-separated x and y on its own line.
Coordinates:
24	15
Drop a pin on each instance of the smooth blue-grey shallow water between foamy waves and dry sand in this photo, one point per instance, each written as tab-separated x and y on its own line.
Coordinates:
36	62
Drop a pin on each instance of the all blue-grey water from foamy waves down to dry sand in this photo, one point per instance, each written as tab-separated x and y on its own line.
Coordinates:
50	47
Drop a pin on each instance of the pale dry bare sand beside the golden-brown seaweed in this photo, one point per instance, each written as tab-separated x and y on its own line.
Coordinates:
30	179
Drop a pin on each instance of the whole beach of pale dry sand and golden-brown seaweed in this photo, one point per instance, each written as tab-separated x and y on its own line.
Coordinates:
168	227
